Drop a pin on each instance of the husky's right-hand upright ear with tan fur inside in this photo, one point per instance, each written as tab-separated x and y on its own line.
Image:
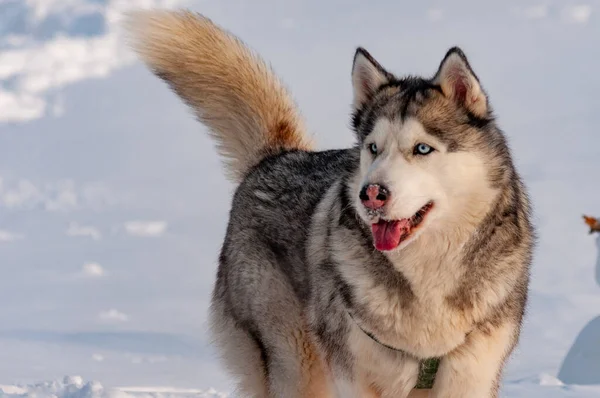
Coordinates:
459	82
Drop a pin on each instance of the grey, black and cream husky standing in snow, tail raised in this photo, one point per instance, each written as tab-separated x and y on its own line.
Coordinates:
343	270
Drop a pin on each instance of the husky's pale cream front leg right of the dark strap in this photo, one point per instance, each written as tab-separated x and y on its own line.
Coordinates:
473	369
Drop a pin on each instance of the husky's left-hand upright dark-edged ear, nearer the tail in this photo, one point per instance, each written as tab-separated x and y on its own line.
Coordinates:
367	77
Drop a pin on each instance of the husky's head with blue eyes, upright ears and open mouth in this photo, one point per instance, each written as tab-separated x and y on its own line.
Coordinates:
431	156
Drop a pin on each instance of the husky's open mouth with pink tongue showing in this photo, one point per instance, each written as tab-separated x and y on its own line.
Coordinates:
388	234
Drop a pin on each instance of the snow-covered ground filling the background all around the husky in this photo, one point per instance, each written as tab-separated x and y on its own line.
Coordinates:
108	247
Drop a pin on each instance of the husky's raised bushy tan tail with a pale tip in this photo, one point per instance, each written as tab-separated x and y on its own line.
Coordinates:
231	89
